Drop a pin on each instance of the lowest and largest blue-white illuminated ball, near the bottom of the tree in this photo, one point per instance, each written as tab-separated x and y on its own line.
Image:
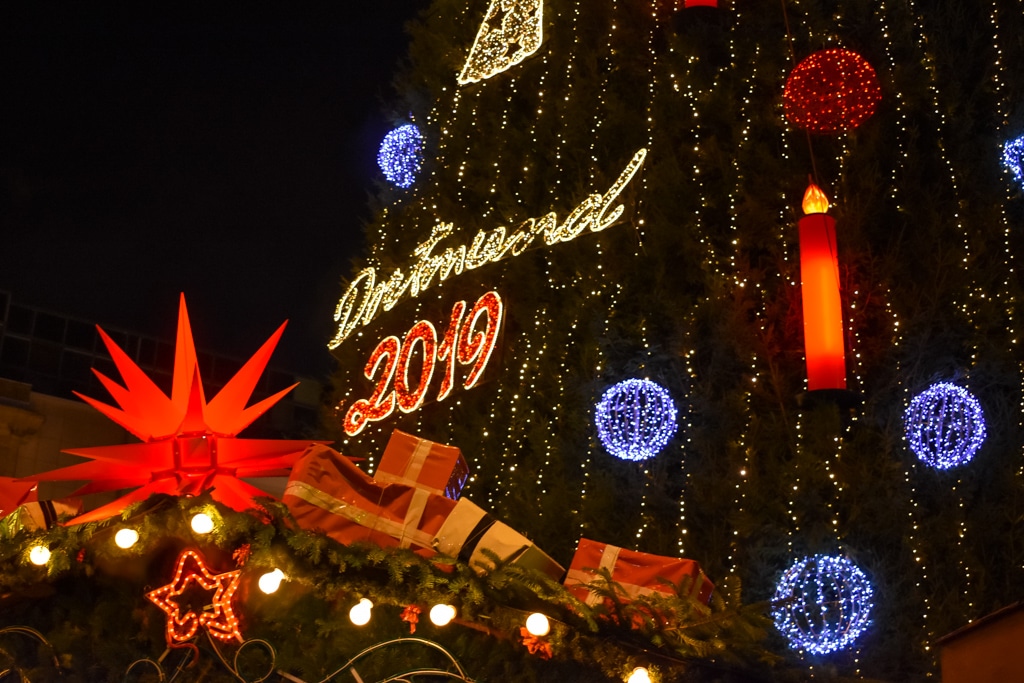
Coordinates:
823	604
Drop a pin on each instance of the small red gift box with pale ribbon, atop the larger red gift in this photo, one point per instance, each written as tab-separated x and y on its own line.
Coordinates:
411	460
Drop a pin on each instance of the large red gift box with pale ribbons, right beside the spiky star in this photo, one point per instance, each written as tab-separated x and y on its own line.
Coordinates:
327	492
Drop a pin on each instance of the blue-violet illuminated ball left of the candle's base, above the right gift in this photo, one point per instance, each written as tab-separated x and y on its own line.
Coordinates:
635	419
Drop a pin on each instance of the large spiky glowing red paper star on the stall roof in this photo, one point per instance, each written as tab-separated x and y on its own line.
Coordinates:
189	445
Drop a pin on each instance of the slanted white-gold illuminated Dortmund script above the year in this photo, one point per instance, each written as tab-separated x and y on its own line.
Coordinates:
366	297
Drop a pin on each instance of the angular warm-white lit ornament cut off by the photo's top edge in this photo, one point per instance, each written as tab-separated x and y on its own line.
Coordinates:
497	49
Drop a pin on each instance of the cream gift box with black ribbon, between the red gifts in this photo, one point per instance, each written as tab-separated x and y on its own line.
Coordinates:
470	530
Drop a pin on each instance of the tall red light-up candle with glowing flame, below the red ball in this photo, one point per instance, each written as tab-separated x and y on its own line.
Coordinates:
820	284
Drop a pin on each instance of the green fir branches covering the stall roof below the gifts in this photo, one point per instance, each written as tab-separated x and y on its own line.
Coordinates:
94	616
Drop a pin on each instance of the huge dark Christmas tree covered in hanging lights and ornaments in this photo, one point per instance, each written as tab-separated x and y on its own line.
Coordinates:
630	192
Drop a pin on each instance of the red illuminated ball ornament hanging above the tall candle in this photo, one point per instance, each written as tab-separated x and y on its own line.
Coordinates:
831	92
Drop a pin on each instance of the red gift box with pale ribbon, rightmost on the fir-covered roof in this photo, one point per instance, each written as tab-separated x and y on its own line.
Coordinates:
638	574
